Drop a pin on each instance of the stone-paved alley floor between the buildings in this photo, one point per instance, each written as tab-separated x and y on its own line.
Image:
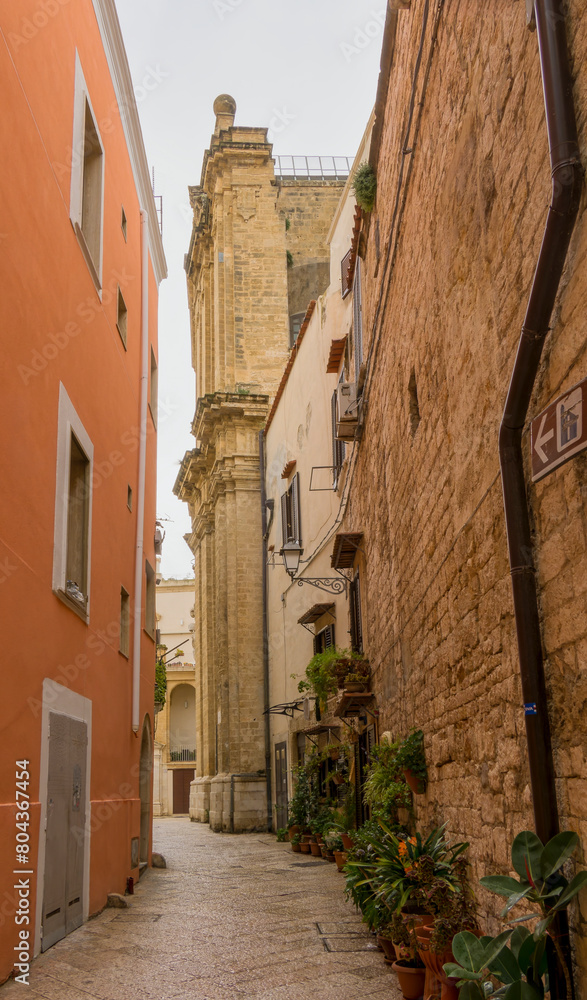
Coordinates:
231	917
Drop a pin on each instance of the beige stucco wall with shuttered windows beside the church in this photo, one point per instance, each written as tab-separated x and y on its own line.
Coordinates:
301	430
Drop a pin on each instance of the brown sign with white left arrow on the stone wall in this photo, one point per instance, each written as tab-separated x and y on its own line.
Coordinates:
559	432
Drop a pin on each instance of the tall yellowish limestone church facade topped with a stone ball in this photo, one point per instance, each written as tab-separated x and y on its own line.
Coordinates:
257	256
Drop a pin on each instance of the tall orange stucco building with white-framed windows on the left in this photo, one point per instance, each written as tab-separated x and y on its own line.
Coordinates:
81	259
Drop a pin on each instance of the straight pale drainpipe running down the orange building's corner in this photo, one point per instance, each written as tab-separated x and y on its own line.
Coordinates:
139	572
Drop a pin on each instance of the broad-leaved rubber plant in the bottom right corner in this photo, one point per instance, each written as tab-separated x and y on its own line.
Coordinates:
518	958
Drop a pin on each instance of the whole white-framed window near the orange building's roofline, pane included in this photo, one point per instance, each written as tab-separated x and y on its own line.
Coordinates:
87	178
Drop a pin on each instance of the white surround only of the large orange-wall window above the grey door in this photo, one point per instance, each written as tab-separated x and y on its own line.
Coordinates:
69	424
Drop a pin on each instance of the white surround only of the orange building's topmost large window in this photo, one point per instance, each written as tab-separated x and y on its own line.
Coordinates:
81	98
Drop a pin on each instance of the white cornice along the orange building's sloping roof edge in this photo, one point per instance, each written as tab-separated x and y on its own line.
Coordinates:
111	34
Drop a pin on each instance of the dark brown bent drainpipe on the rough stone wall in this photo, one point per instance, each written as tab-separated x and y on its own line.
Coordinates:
567	181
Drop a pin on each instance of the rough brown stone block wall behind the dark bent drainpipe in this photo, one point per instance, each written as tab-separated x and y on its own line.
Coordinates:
426	489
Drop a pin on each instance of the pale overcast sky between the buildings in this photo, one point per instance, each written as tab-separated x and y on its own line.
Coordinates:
308	70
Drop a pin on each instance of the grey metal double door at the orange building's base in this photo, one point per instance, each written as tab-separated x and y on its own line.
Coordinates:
65	833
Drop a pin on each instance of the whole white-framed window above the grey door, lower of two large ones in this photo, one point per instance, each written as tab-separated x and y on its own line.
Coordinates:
73	509
